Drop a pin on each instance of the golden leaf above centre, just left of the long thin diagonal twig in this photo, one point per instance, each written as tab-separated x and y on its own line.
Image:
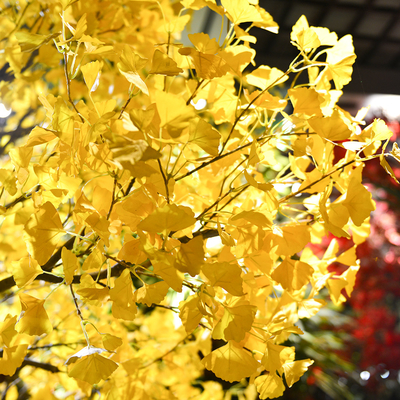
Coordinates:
204	135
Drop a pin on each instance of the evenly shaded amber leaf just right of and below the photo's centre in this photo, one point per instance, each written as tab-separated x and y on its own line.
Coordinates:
226	276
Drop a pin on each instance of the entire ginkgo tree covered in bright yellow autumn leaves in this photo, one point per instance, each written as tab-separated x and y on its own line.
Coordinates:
157	201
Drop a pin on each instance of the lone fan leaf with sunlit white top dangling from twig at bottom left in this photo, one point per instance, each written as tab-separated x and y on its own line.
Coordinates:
92	368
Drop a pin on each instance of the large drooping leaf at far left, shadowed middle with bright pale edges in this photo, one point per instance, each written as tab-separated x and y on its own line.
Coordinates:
44	231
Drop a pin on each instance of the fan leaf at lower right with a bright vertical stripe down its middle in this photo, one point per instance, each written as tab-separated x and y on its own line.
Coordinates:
292	275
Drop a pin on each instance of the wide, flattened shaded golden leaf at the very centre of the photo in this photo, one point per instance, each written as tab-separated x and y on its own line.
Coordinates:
168	218
